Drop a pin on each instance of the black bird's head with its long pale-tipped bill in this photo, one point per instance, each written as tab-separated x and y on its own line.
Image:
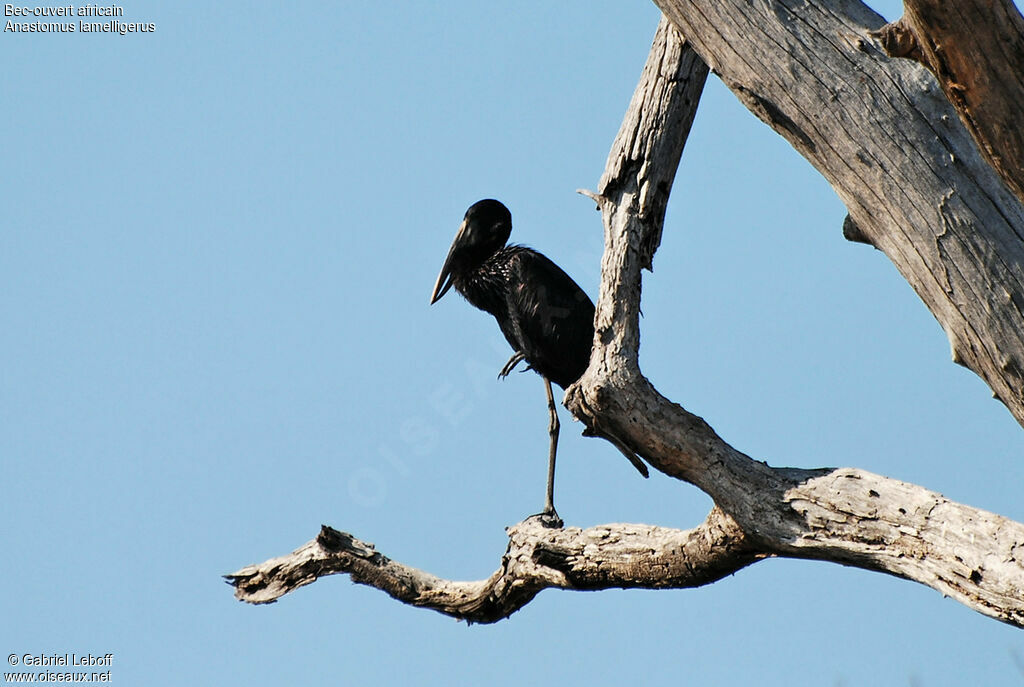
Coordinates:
485	230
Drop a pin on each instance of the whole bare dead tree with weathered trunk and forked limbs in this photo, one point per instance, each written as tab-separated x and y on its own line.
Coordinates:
917	125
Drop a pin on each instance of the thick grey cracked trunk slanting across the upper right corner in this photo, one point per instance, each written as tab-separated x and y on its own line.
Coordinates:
887	140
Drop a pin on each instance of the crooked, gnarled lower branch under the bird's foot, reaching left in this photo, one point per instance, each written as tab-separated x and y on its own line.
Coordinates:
537	559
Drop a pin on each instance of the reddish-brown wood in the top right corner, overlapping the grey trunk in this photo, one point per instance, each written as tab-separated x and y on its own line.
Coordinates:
976	51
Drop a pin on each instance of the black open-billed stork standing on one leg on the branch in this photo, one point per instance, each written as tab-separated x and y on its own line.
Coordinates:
546	318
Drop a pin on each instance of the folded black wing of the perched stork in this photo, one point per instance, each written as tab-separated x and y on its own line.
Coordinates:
551	318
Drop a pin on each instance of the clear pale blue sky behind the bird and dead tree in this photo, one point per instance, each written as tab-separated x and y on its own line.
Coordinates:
219	245
